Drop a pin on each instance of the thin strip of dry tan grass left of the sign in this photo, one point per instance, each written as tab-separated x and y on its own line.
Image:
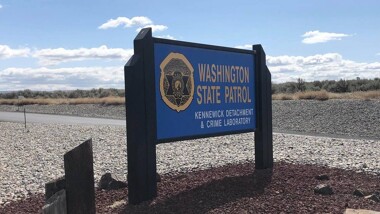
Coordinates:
51	101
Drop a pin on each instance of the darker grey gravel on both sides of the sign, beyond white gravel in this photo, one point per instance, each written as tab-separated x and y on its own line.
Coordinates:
351	118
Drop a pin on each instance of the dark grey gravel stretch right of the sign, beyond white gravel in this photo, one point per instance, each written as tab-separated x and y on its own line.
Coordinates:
355	118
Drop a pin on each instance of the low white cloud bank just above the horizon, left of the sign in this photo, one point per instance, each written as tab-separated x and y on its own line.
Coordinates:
61	78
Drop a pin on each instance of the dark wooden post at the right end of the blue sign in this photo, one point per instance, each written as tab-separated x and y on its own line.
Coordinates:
264	130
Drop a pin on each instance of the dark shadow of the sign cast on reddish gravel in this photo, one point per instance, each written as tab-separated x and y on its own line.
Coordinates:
210	195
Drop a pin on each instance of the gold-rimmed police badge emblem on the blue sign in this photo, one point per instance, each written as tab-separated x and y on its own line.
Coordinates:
177	81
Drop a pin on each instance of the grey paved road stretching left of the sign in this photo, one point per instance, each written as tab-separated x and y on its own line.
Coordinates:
57	119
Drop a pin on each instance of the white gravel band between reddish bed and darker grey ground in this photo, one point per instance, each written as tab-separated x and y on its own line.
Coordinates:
29	159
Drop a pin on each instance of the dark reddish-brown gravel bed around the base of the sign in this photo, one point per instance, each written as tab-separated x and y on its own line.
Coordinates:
287	188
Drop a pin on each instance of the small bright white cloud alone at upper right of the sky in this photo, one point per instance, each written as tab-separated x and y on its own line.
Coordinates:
313	37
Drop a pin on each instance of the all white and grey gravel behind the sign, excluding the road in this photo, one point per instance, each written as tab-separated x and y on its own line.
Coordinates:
30	158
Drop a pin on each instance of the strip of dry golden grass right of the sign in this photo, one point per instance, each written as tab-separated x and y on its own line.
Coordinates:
324	95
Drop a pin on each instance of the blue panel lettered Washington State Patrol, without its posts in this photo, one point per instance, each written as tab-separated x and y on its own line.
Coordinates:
203	91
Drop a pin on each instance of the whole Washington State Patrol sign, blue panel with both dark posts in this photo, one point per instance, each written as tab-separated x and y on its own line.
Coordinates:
178	90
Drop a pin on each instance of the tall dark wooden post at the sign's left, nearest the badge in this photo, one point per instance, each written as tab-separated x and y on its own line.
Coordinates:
140	111
